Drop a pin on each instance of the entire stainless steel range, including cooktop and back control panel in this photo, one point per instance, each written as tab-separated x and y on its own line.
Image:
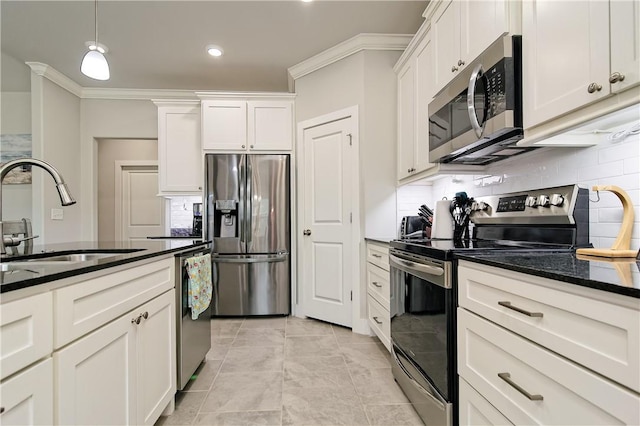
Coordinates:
424	285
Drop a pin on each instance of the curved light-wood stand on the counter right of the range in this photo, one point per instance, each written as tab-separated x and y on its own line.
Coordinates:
622	245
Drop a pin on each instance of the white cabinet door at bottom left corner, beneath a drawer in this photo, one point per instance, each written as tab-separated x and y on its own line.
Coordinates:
27	397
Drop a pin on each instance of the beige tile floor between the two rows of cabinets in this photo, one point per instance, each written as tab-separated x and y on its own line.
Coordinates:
292	371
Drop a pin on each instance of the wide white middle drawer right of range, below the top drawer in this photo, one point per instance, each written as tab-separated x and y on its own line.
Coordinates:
531	385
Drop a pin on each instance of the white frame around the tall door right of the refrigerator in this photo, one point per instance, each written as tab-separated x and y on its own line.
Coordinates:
359	316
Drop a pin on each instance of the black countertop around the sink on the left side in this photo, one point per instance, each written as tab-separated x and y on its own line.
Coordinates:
40	273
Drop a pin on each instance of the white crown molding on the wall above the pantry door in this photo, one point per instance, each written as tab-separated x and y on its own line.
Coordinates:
348	47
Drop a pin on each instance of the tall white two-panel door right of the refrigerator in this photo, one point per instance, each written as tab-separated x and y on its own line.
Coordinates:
327	241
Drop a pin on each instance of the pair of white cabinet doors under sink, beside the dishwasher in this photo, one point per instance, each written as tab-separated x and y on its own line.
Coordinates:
124	372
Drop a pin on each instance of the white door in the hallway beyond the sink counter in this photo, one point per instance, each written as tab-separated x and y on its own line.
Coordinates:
140	213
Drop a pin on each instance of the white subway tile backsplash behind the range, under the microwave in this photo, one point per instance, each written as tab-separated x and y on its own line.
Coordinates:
608	163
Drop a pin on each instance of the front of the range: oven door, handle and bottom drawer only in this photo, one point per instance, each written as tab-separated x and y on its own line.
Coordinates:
422	334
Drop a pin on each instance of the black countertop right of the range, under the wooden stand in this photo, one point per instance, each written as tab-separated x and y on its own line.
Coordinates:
618	276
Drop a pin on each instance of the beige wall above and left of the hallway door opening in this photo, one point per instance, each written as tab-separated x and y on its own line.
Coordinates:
108	119
